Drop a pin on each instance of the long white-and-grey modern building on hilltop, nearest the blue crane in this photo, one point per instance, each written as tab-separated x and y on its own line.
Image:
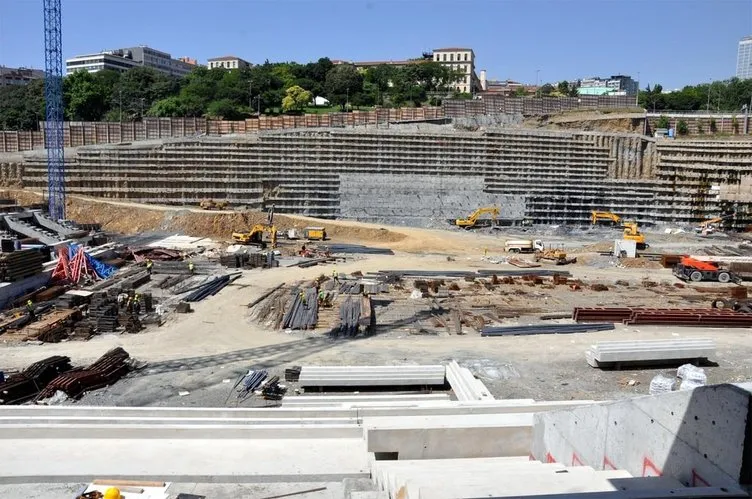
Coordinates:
127	58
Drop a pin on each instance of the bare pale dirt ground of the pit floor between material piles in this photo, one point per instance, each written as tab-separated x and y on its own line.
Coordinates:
204	352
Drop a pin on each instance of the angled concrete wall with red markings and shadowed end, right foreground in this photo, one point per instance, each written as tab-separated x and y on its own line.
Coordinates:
700	437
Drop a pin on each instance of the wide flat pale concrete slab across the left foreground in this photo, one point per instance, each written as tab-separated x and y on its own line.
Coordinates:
178	460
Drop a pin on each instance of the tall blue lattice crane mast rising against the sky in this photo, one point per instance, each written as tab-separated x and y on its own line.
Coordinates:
53	95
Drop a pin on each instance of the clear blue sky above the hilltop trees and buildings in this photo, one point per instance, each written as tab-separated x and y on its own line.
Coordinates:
671	42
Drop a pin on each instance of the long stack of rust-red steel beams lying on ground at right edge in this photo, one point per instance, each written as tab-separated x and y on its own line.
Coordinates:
675	316
